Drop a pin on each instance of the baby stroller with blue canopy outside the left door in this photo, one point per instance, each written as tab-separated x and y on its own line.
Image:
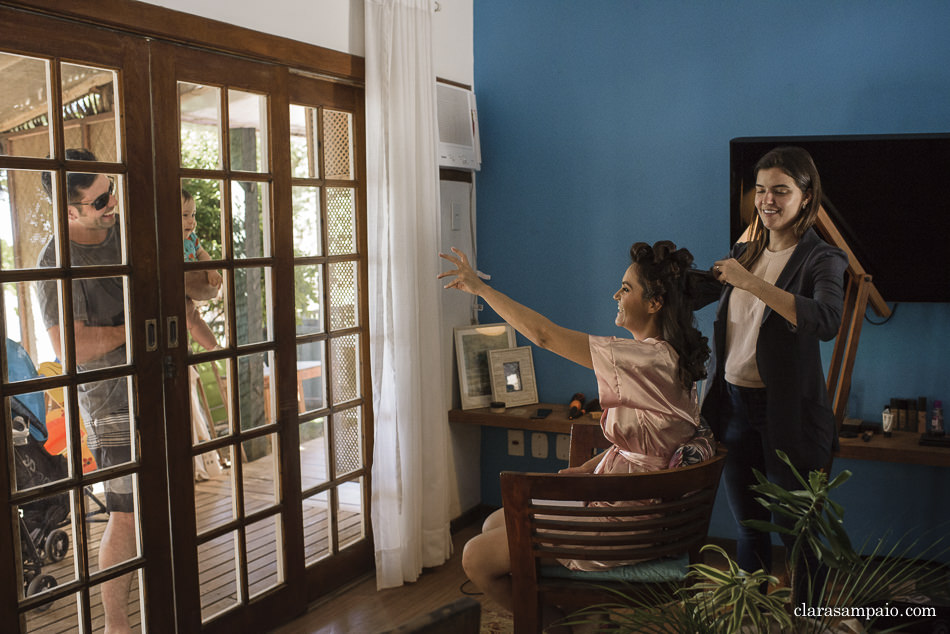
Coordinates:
41	536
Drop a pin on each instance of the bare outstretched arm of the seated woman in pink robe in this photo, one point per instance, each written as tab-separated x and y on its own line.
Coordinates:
570	344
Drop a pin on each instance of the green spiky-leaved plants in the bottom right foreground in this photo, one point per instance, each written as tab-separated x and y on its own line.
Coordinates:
856	592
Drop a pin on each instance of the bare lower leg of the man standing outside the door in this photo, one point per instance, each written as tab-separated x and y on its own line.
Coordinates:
117	546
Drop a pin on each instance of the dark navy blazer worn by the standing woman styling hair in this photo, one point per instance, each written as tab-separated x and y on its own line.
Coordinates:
800	419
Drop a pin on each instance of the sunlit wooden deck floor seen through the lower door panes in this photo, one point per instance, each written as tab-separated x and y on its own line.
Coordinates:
217	560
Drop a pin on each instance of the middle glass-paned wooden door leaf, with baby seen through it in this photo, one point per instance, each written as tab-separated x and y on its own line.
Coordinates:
218	213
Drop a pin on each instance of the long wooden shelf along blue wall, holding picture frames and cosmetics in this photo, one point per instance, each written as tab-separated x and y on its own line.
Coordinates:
902	447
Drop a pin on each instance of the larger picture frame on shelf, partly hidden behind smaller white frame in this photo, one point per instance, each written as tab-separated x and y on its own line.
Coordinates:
472	344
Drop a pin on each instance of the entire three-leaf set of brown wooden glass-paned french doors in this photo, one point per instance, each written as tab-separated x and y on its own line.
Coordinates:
250	450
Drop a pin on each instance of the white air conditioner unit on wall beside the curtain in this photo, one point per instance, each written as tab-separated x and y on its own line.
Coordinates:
458	128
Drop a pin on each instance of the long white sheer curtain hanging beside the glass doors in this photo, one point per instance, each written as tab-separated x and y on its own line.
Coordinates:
410	456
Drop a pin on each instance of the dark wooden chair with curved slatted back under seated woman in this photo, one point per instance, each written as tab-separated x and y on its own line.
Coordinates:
547	519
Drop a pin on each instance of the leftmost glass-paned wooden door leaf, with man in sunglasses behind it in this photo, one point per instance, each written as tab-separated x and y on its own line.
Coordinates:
66	386
